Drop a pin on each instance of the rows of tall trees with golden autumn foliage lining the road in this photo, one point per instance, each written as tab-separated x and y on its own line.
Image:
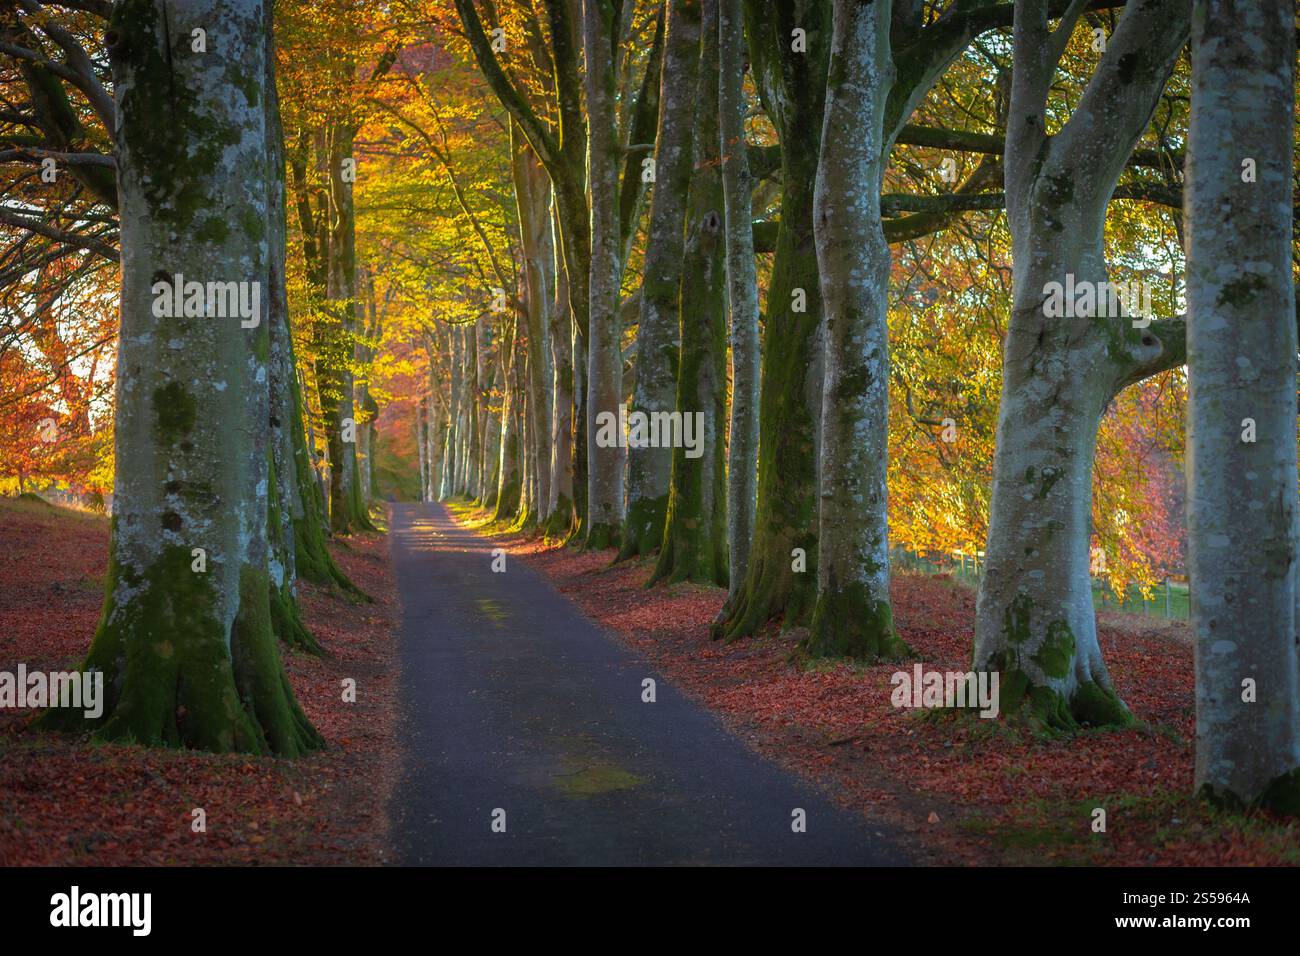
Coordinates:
803	233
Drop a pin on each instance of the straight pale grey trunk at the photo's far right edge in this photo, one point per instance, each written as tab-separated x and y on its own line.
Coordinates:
1242	516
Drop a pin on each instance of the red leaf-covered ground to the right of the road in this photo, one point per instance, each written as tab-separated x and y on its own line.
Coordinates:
967	790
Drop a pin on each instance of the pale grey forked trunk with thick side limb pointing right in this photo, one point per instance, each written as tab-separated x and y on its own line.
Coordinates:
1035	622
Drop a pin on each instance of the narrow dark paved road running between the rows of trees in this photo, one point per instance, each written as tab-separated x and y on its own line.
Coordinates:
512	700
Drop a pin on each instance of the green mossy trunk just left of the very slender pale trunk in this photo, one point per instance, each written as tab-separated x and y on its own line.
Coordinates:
695	537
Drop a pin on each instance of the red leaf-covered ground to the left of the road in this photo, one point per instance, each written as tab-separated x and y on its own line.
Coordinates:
75	802
